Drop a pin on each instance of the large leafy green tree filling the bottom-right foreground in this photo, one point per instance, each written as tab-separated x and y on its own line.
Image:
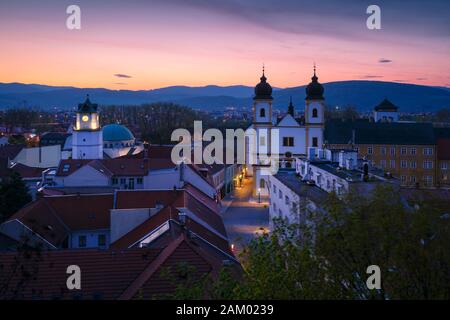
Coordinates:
327	254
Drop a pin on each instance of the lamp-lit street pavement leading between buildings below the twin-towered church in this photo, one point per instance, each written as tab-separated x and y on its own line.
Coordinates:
244	217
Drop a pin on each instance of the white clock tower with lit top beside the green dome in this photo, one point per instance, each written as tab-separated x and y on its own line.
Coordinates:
87	138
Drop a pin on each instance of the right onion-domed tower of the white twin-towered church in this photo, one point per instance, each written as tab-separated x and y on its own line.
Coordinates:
314	113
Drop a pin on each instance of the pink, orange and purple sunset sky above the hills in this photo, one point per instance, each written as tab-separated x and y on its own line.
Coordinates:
150	44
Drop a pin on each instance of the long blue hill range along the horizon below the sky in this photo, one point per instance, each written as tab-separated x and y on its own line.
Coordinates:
363	95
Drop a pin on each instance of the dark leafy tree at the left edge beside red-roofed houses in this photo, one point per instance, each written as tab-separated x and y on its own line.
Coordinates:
13	195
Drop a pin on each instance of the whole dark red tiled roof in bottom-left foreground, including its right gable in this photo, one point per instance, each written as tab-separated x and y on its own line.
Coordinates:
107	274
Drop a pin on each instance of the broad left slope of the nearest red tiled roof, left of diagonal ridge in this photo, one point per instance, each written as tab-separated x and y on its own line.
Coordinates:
105	274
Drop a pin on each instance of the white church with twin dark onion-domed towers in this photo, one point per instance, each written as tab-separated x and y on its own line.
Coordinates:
283	138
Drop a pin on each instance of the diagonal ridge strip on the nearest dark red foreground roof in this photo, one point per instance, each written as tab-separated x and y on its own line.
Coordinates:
151	268
